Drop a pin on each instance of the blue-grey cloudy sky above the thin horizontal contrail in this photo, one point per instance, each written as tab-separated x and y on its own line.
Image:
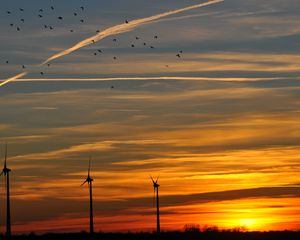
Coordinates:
237	28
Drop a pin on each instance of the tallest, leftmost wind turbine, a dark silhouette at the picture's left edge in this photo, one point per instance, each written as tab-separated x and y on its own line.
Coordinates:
6	172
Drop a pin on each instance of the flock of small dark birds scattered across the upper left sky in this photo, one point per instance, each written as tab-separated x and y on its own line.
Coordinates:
77	14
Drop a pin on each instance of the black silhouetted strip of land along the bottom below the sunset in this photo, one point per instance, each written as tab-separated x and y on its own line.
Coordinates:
185	235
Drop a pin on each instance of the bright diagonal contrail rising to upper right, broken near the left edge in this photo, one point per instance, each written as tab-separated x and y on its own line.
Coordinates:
114	30
